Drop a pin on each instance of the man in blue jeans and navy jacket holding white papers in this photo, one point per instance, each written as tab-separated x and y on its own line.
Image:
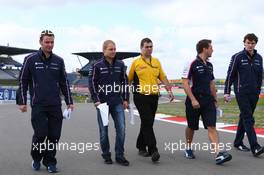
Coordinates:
108	84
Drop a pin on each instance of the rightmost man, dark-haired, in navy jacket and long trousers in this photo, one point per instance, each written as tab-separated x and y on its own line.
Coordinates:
245	72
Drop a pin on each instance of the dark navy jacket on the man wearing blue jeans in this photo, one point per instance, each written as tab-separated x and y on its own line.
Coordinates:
108	83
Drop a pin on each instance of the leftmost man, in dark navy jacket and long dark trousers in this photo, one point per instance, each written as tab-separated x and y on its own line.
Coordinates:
44	73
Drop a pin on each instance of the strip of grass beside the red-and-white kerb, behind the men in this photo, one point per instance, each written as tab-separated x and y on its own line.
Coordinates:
230	111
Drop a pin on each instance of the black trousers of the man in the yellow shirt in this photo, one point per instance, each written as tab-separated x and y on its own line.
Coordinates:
146	106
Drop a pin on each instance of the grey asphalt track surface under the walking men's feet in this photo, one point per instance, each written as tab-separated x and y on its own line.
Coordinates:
82	128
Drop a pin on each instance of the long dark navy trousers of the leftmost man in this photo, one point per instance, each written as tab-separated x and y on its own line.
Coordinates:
47	124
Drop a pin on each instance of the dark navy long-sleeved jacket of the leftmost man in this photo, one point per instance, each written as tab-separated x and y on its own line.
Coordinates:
46	78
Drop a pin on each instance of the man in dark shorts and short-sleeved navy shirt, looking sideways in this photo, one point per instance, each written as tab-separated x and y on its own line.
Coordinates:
202	100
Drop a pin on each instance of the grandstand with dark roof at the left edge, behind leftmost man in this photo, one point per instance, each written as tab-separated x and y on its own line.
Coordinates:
9	68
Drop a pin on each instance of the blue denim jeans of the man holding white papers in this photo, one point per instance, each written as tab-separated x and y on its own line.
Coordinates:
118	115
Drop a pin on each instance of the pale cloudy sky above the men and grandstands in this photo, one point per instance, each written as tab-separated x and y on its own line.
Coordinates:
174	26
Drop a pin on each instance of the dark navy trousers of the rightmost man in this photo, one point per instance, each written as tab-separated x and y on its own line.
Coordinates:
247	104
